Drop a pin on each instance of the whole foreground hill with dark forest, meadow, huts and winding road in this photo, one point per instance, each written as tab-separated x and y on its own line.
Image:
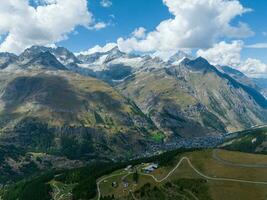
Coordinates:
189	175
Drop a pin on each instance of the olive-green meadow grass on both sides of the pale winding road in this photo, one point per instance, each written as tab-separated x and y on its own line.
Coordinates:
184	177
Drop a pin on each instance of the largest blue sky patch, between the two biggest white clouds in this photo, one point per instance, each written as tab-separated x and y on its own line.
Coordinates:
128	15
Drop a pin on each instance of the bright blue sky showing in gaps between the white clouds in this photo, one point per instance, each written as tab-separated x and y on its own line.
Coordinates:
130	14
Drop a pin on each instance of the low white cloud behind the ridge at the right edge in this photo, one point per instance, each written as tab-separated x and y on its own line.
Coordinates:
229	54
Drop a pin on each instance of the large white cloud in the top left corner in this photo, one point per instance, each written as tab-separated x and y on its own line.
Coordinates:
48	23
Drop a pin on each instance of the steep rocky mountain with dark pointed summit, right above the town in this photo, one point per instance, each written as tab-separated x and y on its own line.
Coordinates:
193	98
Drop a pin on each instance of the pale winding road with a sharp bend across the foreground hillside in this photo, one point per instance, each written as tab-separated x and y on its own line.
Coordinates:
174	169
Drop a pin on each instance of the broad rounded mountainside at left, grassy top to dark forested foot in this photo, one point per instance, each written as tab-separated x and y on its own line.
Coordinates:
61	117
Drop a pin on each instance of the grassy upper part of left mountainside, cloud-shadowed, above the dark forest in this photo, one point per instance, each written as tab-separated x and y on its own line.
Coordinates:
61	96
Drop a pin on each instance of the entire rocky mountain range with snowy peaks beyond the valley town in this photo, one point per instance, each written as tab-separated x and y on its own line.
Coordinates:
113	105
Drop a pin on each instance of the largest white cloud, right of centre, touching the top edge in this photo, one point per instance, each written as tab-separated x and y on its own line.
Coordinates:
195	24
